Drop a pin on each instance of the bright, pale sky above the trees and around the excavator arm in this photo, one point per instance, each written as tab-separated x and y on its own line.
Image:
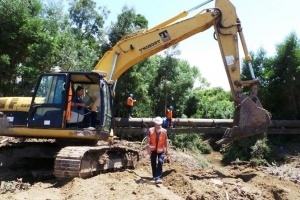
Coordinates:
265	23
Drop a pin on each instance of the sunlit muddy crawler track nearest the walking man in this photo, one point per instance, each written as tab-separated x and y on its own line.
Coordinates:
86	161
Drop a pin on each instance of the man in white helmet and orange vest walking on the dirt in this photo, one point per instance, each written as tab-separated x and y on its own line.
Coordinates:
157	148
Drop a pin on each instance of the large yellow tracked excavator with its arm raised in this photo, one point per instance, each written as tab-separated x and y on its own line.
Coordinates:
49	113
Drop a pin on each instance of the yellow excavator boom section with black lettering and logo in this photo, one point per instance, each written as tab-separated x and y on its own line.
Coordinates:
139	46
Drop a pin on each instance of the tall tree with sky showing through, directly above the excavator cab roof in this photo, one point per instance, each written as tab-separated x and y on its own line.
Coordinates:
87	21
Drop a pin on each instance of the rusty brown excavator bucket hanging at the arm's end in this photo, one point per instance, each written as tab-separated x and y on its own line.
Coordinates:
250	118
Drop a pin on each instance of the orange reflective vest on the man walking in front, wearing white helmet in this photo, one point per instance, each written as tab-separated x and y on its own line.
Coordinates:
157	145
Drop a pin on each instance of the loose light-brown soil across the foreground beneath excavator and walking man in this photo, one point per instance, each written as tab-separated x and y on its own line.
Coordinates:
185	177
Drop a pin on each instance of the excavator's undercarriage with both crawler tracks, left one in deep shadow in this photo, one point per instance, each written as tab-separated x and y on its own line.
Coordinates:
34	159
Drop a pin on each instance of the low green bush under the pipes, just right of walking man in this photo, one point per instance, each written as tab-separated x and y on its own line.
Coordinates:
190	141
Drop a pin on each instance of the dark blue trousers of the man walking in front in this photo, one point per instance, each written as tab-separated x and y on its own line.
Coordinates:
157	161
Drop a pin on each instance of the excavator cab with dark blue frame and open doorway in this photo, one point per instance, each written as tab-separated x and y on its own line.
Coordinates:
51	105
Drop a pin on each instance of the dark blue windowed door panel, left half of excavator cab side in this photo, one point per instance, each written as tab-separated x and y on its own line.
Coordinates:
48	102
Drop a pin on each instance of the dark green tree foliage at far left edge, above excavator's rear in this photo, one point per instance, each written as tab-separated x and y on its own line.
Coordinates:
20	22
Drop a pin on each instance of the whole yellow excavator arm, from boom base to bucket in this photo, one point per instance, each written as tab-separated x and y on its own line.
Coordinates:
249	117
